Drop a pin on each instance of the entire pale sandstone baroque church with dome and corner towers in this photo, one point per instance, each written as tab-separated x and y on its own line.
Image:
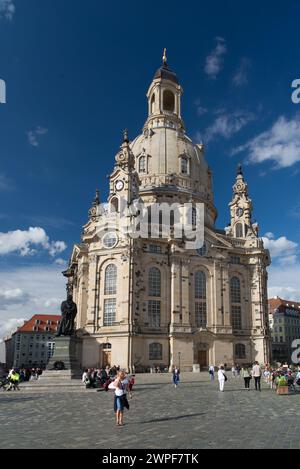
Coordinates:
148	301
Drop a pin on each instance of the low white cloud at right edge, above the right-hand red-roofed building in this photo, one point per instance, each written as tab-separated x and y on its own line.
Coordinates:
281	249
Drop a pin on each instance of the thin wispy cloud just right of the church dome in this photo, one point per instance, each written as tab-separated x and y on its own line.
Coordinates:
227	125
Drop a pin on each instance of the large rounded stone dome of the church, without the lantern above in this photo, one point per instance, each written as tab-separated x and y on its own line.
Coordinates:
168	162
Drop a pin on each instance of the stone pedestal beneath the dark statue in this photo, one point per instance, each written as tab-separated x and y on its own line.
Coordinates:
67	356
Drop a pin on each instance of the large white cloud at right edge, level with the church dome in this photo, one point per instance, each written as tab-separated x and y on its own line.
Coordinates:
279	144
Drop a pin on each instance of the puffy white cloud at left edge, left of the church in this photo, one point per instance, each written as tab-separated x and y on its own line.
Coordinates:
23	242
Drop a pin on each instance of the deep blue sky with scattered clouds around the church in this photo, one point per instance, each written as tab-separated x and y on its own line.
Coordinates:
76	75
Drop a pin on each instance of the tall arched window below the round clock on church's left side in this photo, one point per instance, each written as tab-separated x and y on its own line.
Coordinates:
110	289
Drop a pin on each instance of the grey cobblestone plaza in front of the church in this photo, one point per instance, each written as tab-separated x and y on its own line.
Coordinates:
195	415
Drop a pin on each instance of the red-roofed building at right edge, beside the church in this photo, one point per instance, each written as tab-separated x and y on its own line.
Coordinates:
284	320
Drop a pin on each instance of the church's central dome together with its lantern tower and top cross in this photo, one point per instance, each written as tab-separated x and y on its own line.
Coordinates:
170	166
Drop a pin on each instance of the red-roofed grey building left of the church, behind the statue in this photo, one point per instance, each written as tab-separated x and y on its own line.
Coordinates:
32	345
